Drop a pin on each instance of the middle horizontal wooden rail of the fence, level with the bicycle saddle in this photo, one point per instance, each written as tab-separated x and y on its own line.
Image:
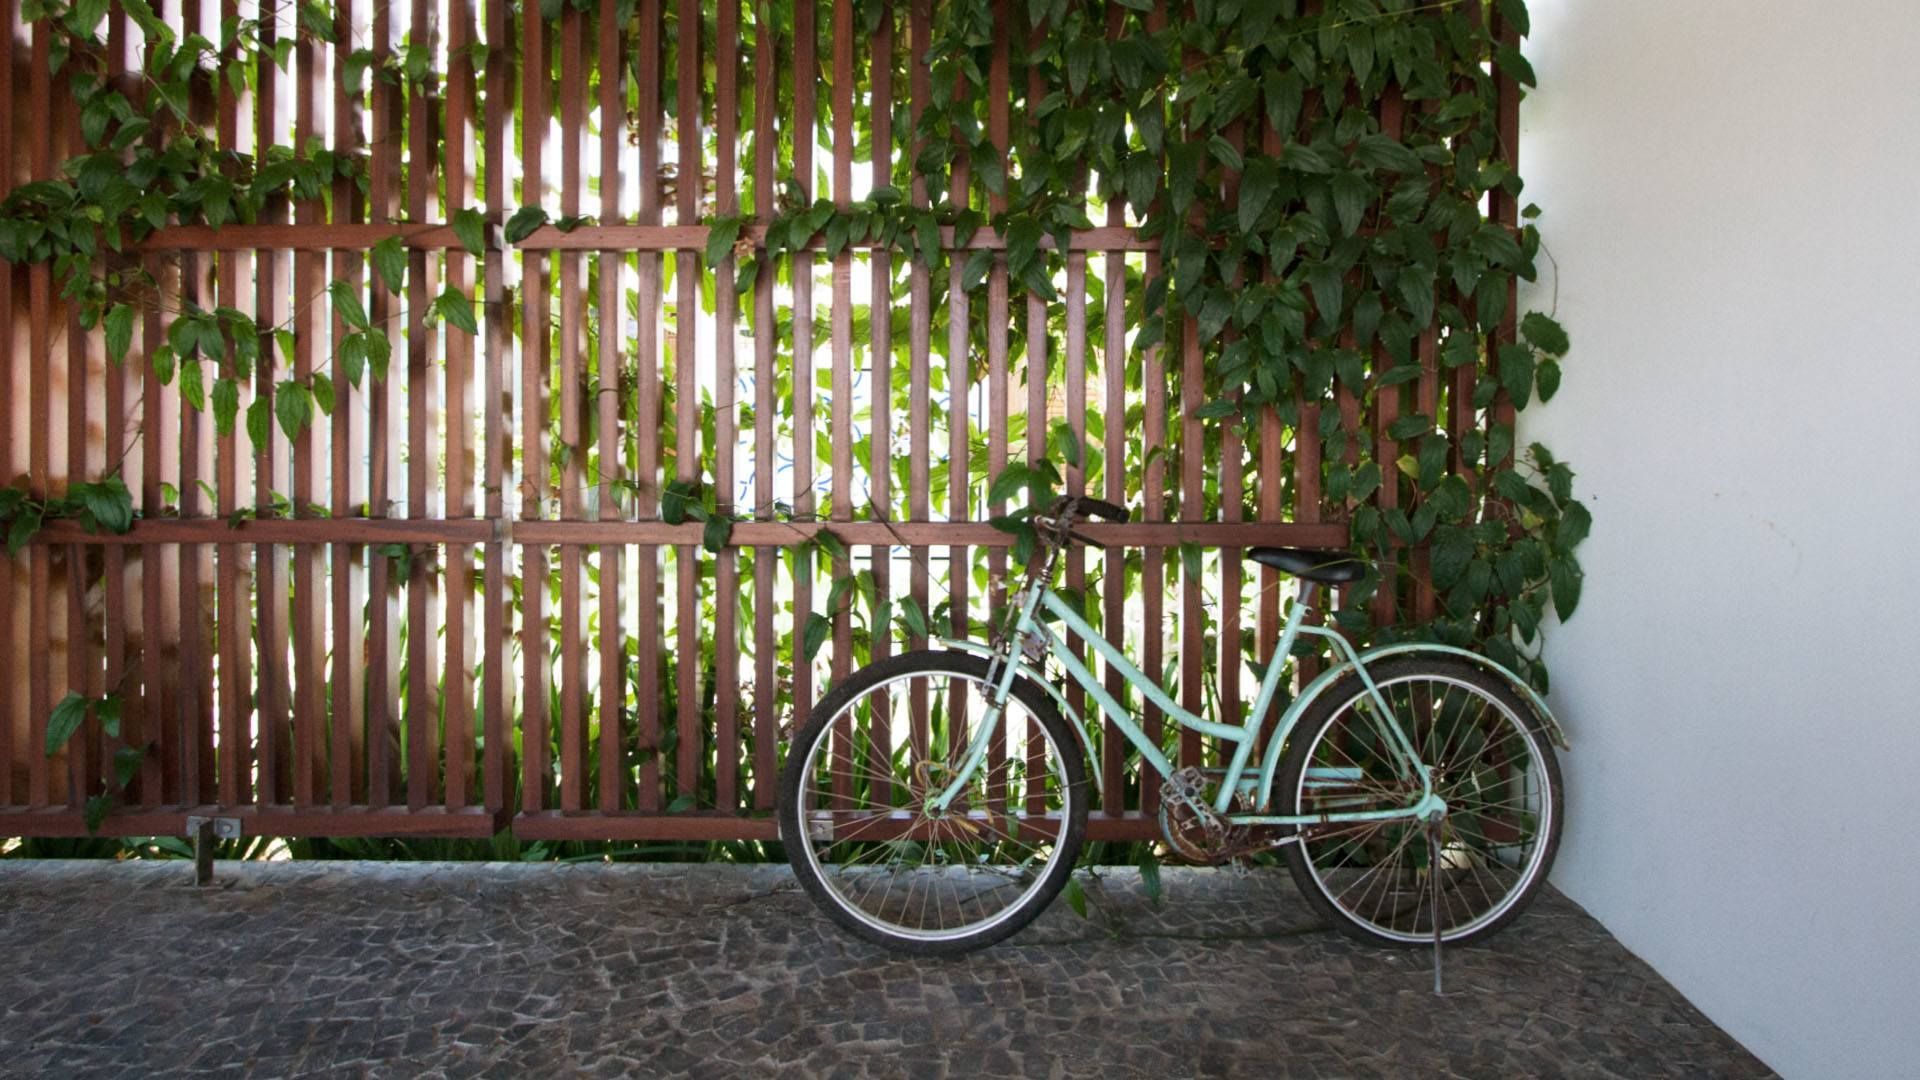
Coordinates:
658	533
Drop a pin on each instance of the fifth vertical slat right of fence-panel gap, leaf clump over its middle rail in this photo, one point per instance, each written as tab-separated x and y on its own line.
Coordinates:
686	381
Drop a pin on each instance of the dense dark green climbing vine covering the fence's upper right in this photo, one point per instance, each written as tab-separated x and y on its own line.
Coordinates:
1312	268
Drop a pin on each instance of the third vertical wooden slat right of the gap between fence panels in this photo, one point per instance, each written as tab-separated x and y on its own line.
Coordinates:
612	305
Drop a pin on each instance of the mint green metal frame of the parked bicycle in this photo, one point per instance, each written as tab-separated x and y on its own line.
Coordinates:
1243	737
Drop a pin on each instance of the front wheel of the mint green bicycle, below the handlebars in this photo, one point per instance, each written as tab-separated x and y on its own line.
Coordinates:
869	845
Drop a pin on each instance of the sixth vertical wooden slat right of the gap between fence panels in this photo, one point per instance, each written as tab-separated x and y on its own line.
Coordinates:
727	389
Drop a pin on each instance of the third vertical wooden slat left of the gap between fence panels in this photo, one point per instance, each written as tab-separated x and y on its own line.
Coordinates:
423	714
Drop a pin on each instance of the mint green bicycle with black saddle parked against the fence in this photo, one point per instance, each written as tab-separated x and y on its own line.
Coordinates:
936	802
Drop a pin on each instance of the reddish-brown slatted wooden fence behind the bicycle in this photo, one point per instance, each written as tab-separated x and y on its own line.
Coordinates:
454	604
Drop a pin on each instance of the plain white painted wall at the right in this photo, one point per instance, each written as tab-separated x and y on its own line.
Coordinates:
1733	191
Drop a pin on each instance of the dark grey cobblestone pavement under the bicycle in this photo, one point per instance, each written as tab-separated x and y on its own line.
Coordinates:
437	970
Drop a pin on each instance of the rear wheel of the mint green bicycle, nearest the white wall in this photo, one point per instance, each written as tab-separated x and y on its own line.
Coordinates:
1495	770
